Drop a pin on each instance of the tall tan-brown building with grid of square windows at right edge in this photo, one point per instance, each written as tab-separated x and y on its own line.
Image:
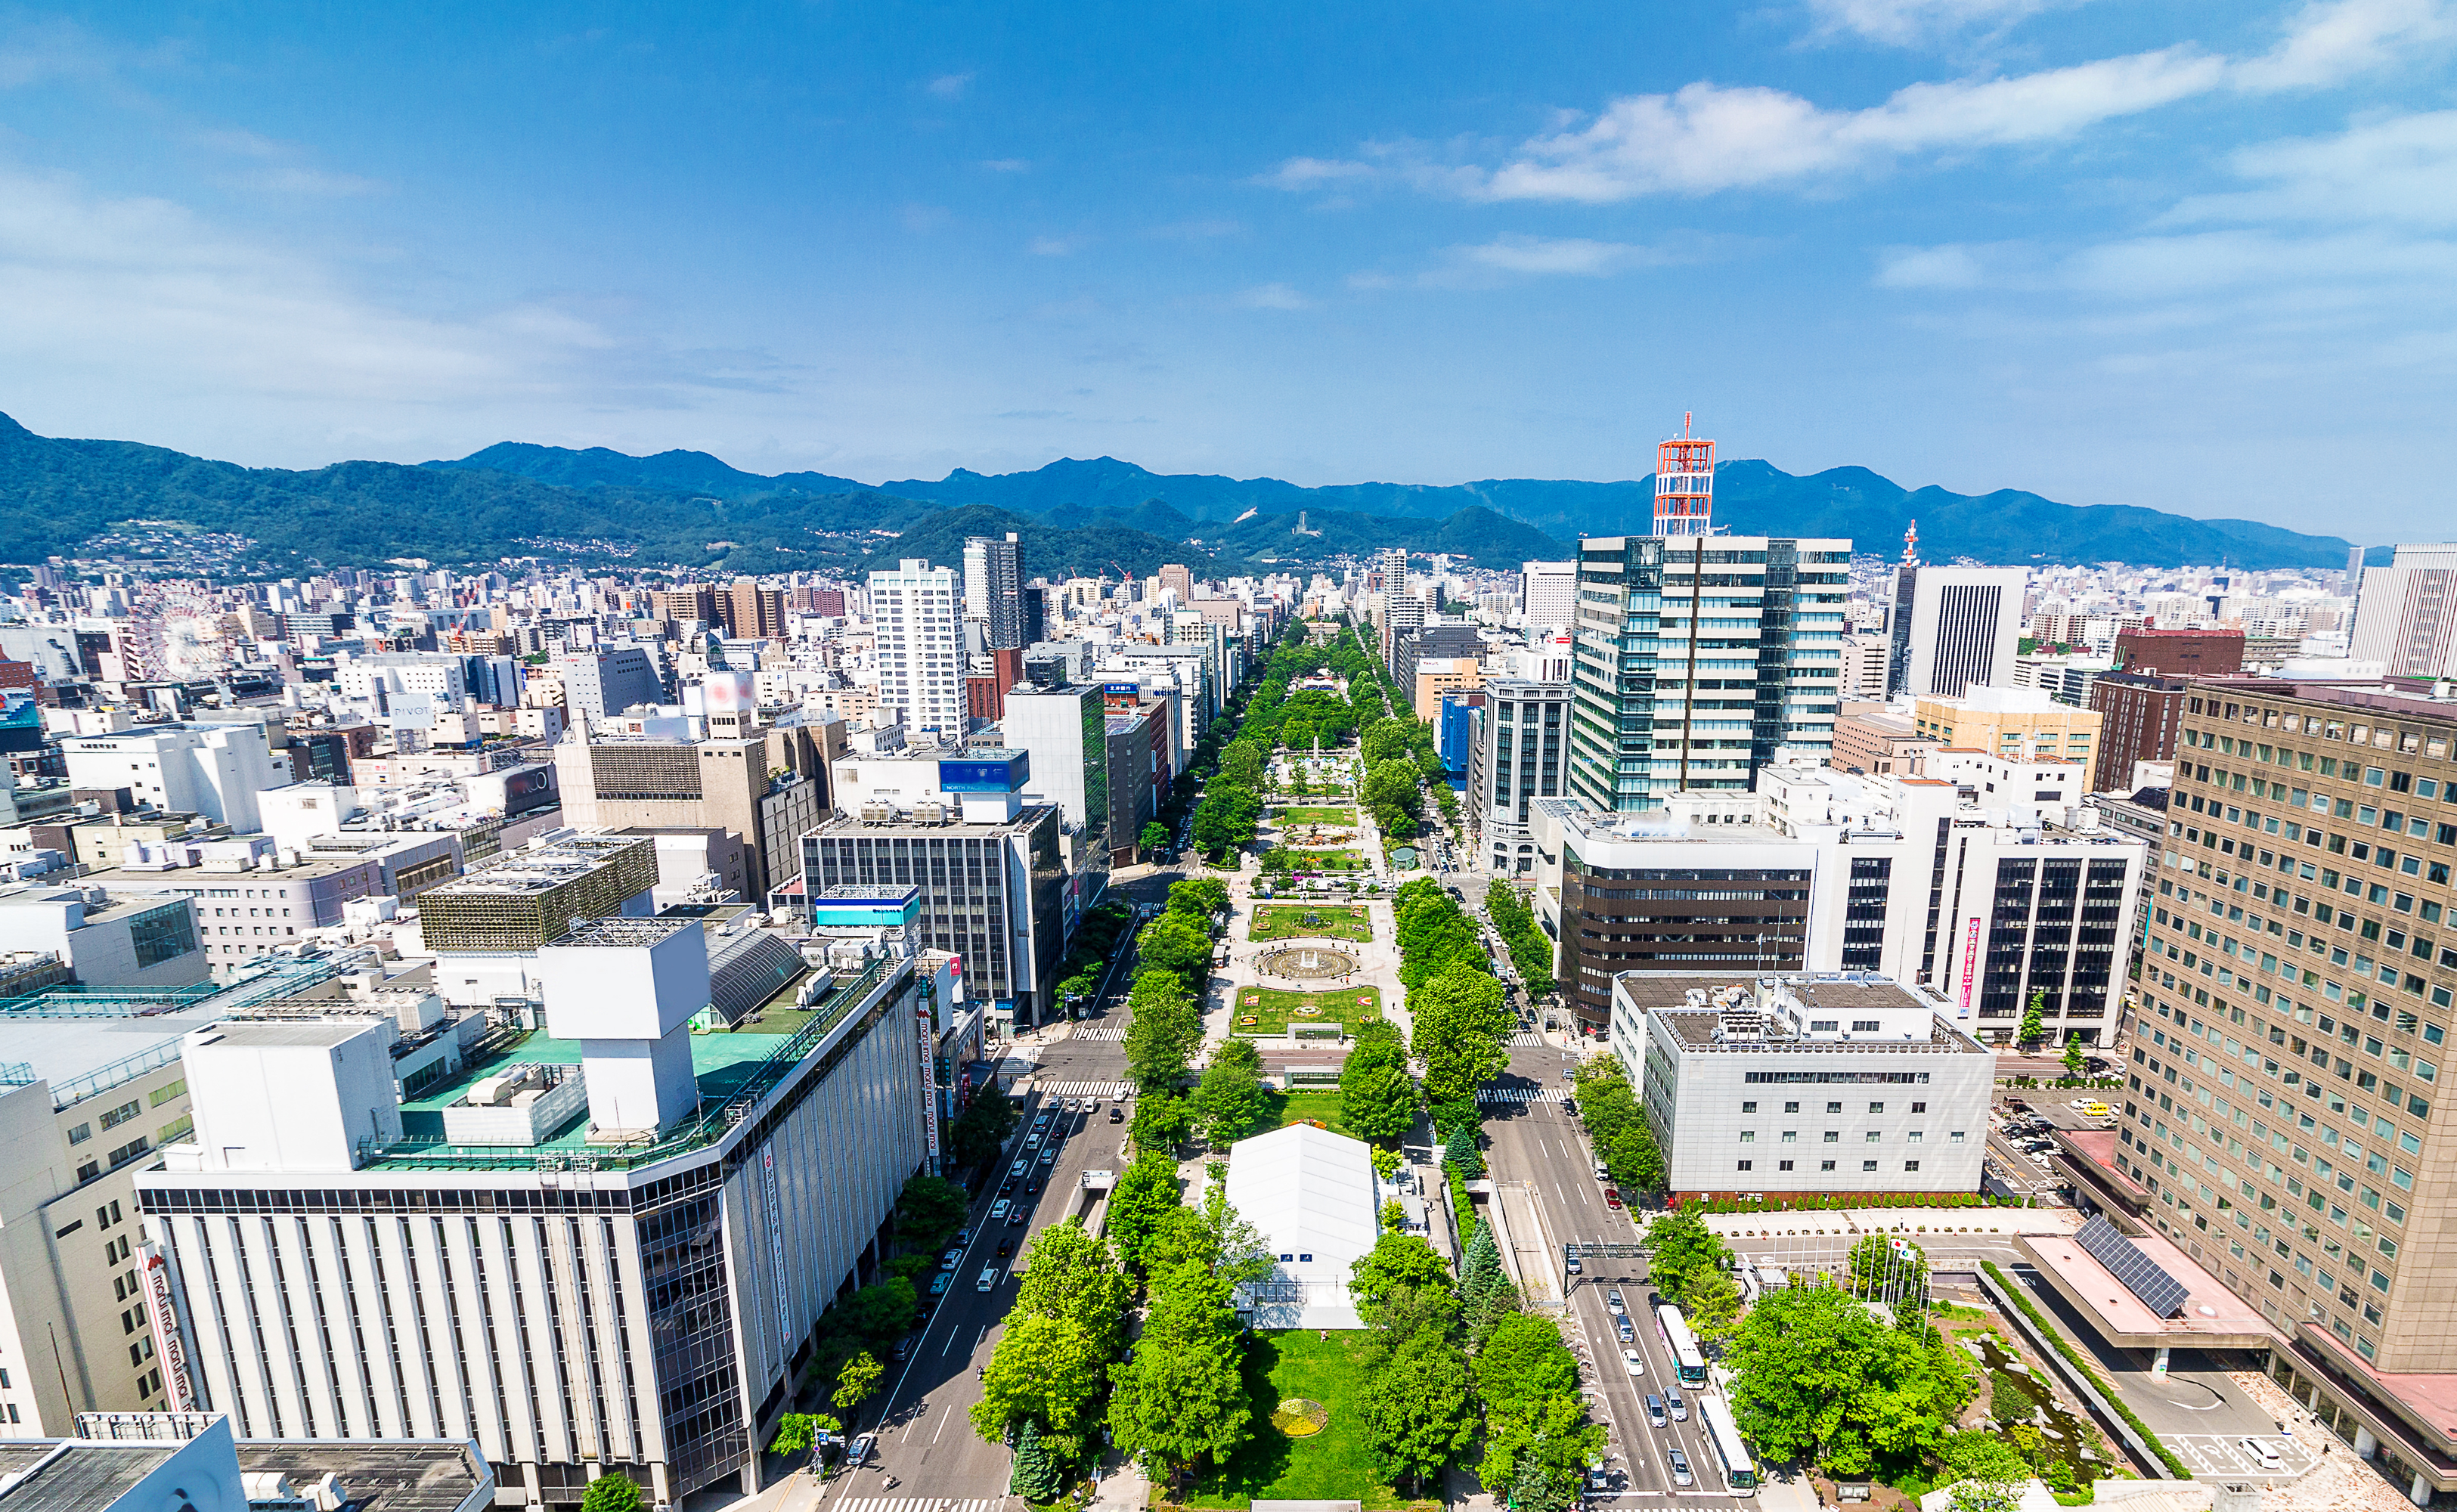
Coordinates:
2284	1093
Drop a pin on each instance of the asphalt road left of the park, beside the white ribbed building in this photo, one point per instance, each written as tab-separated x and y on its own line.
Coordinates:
928	1444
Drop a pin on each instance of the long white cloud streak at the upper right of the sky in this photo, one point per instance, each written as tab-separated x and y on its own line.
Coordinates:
1709	136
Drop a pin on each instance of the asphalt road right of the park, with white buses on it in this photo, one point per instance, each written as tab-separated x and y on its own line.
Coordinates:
1542	1144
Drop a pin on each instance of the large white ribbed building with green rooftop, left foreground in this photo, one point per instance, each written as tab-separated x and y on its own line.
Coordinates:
620	1294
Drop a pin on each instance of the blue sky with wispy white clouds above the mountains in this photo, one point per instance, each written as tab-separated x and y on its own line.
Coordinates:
2198	257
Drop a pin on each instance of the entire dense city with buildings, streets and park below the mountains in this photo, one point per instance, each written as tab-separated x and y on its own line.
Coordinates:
596	1036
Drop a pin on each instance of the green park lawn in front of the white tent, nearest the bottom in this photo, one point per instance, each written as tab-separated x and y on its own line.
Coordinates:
1330	1467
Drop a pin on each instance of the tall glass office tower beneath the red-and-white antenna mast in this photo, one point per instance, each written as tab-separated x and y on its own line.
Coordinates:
1699	658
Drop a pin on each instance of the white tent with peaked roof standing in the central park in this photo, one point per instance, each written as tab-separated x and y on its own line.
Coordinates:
1313	1196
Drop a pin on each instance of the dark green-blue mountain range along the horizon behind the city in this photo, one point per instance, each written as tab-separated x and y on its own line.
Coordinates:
1077	518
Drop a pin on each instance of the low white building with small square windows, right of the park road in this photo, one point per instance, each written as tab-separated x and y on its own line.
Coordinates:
1790	1085
